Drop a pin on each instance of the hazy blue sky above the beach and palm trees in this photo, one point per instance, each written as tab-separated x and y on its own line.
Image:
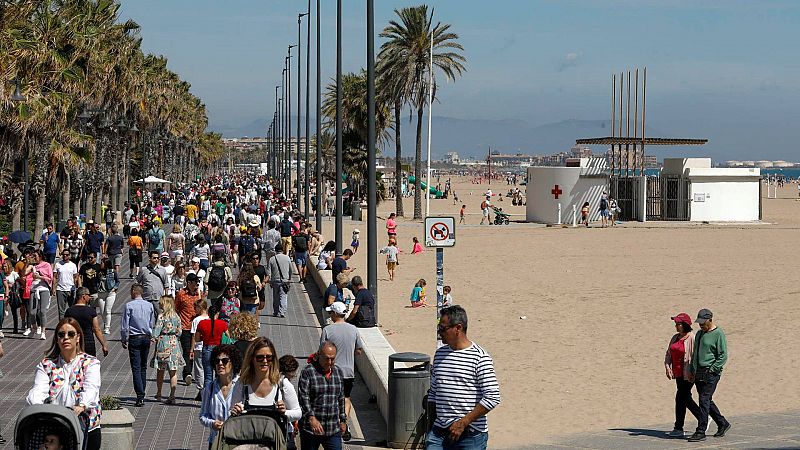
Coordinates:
727	70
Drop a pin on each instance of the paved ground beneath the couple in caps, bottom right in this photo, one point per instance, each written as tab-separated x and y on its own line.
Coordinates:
768	431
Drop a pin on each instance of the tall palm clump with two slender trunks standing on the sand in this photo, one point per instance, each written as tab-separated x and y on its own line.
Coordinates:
405	60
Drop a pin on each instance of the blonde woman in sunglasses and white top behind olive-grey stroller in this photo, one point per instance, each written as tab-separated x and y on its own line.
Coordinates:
265	386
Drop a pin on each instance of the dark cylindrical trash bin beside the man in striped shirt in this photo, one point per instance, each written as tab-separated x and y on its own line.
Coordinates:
408	387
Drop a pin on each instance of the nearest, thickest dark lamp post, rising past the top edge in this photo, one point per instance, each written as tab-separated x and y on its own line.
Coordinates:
372	188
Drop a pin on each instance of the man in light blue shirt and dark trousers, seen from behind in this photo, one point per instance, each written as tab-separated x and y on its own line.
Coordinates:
136	329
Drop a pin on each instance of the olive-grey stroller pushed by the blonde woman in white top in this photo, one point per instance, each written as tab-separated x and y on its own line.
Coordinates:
258	427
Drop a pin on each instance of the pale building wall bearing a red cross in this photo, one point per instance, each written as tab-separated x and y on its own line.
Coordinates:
576	189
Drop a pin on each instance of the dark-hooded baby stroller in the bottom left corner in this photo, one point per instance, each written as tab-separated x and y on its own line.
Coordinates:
36	422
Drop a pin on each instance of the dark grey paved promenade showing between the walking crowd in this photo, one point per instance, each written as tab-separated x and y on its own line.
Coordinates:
159	426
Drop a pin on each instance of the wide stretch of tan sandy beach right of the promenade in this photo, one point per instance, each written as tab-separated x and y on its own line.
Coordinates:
589	354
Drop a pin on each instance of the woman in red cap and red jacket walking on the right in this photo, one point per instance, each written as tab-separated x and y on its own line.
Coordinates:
676	363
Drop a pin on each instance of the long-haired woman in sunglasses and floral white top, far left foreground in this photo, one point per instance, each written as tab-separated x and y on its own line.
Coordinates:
69	377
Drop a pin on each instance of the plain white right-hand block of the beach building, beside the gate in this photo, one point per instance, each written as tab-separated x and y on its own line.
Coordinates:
727	199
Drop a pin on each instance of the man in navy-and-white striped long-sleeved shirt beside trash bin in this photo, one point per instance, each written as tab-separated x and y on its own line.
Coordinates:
463	387
